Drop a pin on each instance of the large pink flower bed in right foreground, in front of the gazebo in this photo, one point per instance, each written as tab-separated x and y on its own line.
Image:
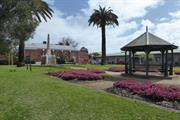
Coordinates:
149	90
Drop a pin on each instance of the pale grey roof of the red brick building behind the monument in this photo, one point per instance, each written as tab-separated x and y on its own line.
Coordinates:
35	46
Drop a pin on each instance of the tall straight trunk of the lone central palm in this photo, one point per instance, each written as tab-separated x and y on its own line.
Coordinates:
103	57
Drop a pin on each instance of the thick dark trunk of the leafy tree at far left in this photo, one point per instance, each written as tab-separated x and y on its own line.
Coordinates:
20	62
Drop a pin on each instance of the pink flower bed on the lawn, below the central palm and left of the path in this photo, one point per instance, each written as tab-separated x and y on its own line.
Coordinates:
89	74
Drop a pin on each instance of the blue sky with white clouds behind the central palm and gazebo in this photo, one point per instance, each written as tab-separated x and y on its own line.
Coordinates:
71	16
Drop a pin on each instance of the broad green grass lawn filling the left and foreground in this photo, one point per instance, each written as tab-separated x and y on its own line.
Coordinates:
33	95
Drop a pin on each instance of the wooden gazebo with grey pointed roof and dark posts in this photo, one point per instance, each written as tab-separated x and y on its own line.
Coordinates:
147	43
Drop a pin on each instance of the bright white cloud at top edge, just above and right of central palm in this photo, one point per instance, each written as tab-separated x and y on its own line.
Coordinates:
126	9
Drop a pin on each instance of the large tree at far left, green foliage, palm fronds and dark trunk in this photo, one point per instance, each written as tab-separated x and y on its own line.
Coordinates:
19	18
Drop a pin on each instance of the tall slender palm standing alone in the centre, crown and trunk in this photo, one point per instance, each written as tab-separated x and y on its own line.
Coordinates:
102	18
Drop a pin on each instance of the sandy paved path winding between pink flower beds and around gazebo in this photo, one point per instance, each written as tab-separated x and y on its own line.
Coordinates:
114	76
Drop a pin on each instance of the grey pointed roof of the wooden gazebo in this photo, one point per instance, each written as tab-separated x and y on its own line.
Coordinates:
148	40
